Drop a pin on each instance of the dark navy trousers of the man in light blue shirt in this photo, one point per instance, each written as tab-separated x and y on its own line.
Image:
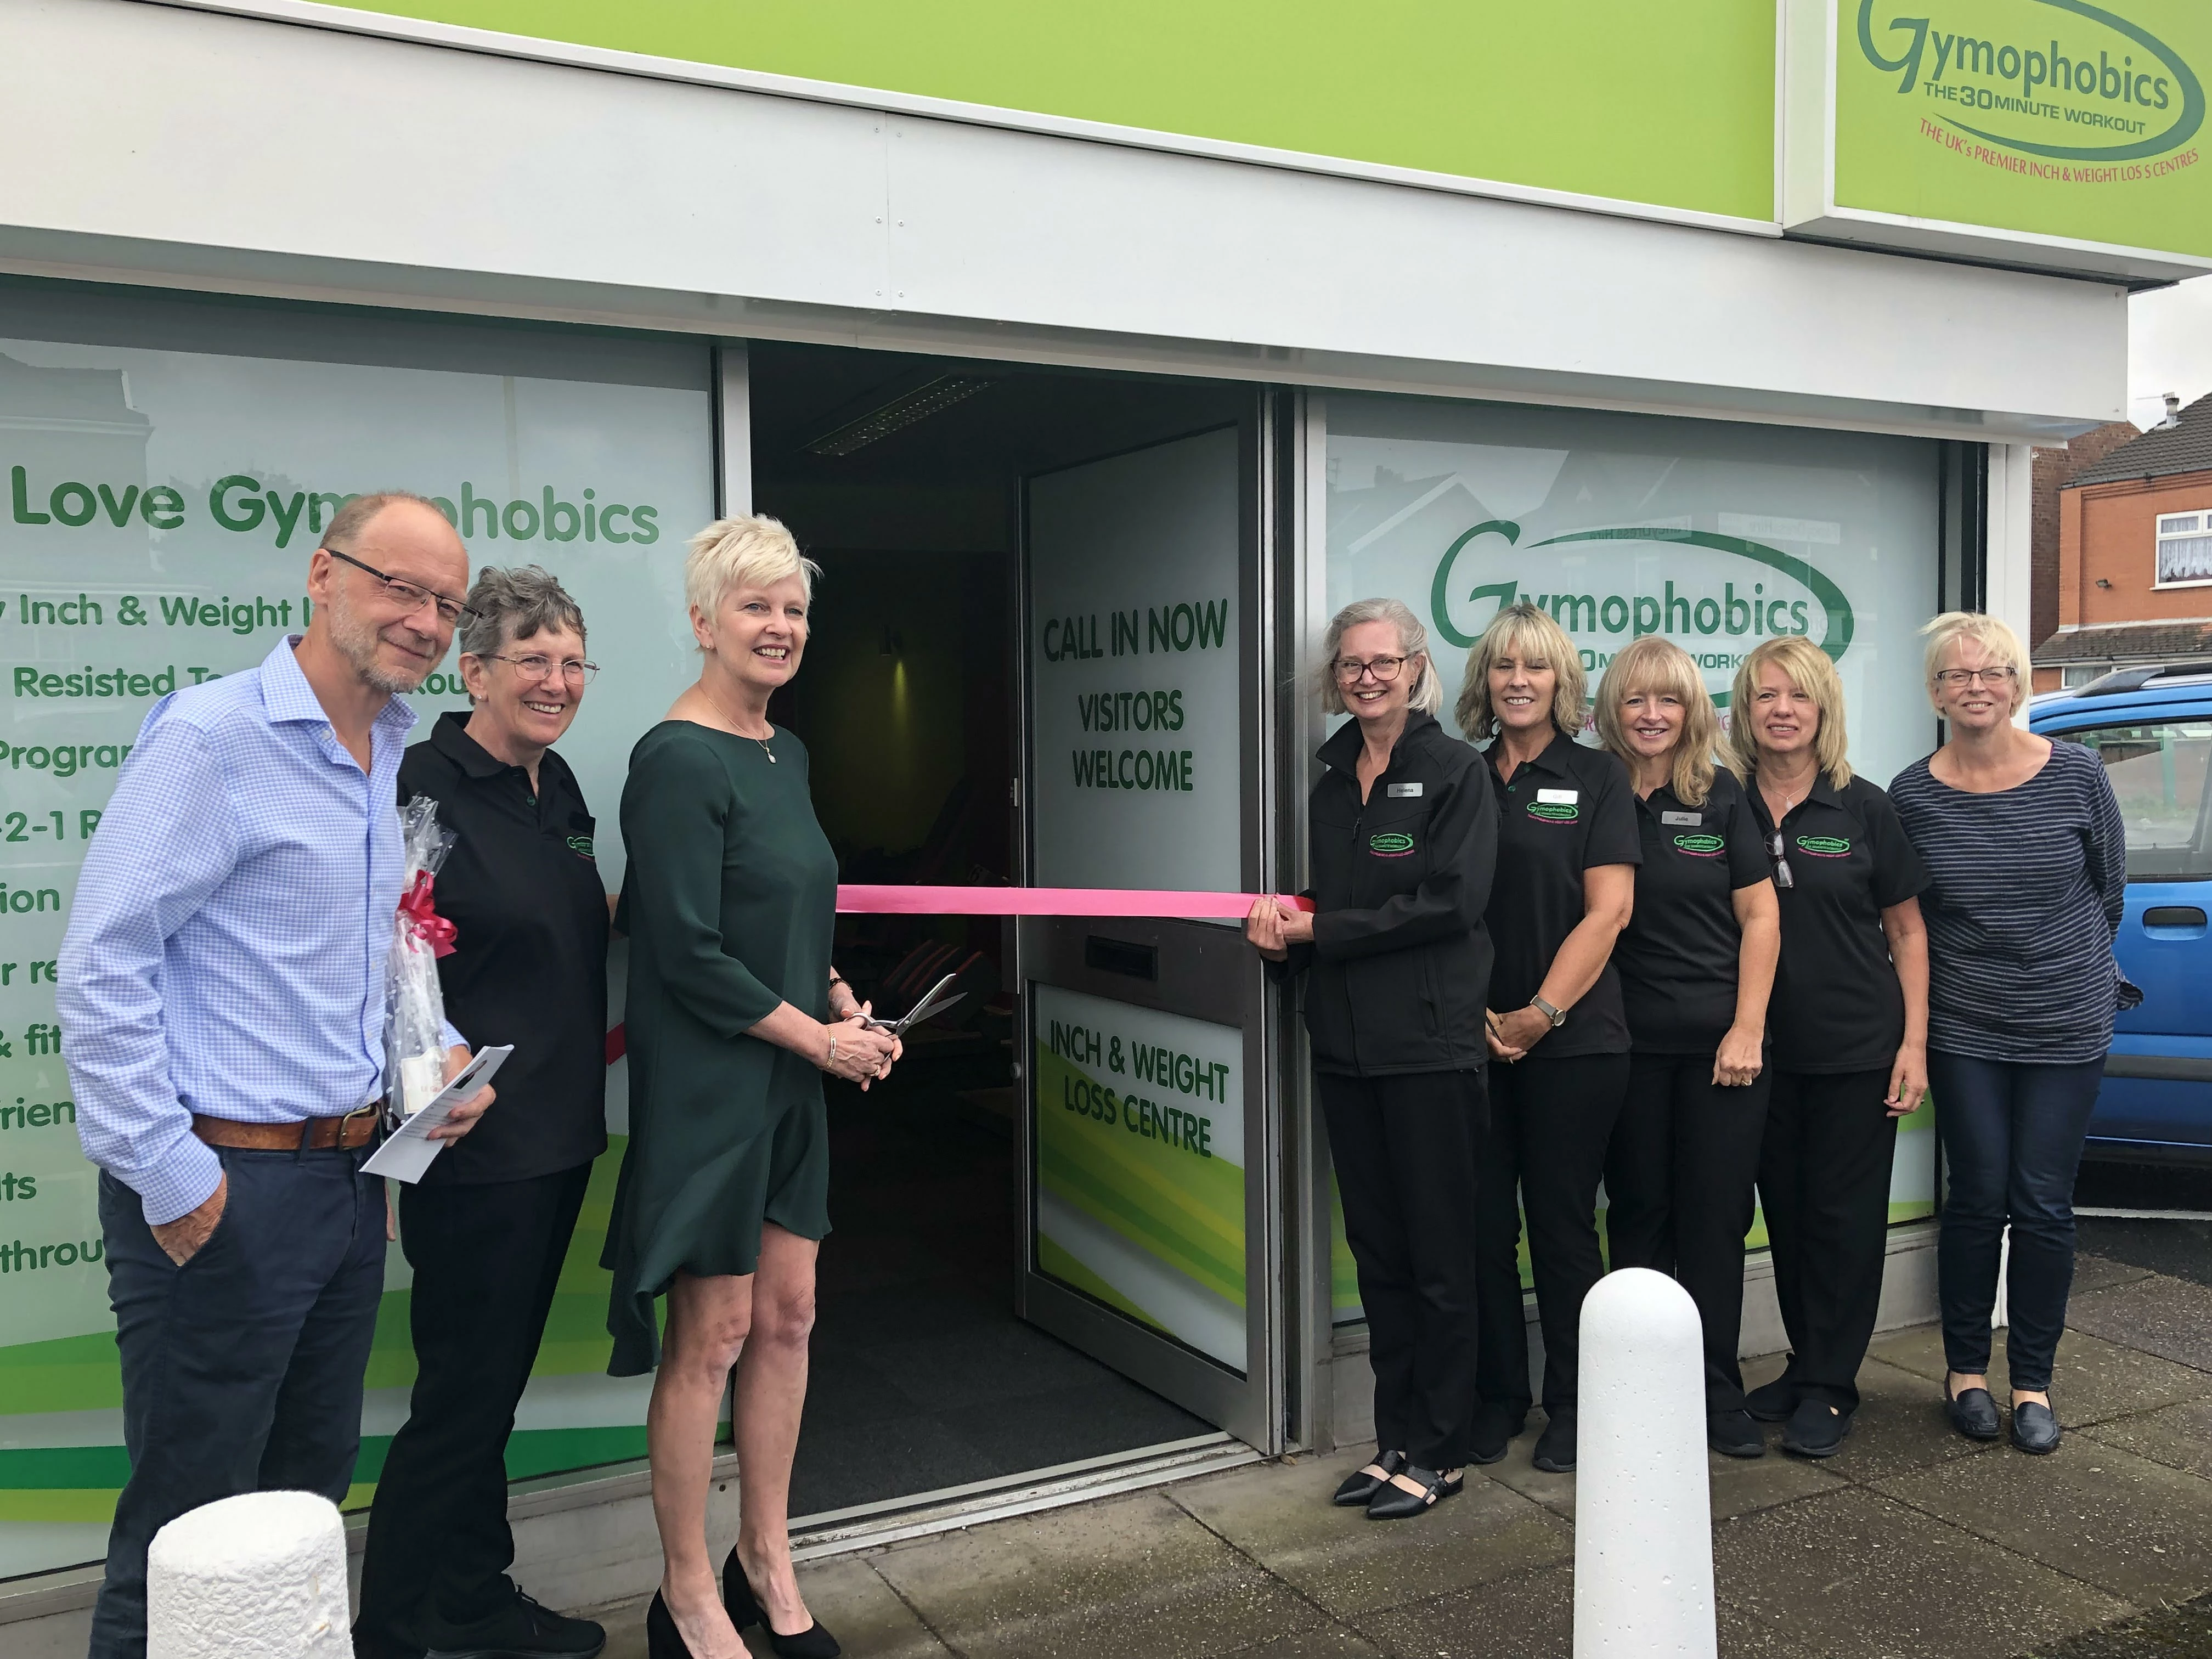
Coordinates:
242	1368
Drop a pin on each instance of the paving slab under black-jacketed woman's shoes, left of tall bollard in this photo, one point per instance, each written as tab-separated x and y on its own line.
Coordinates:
1282	1519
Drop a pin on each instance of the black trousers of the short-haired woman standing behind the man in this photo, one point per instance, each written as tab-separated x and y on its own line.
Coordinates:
486	1262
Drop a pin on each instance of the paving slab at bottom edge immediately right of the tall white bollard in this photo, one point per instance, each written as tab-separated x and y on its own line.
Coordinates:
1859	1576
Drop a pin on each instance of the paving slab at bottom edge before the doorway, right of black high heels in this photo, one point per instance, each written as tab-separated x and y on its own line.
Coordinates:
1127	1576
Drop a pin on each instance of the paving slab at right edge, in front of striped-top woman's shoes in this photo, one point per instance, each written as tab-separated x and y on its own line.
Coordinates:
2122	1523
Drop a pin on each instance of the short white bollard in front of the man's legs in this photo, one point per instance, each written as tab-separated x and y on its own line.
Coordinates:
260	1576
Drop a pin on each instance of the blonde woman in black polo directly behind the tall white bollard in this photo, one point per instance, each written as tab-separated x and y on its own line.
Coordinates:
1698	966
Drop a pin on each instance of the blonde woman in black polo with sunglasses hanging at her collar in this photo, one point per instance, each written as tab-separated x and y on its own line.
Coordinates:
1848	1021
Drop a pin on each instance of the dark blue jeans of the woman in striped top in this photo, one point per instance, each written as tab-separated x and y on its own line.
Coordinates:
2012	1142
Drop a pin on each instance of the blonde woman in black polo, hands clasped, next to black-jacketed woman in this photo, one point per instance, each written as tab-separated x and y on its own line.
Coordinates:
1567	853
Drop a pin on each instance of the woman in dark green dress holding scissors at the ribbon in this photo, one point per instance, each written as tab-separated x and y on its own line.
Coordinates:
733	1016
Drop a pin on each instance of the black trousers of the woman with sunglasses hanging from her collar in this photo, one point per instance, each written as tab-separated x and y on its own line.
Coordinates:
1824	1180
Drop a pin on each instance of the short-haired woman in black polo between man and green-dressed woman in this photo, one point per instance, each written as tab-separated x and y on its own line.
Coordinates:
488	1229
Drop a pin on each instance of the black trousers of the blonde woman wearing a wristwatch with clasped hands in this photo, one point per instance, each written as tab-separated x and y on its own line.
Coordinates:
1552	1123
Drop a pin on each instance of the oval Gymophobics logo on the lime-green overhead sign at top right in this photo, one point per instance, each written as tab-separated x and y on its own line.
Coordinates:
2060	81
